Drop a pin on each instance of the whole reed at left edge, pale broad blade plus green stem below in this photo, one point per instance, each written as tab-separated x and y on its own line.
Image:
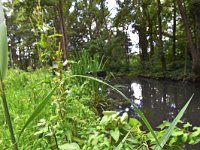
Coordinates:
3	70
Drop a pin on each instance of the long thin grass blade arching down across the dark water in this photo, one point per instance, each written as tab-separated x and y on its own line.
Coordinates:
142	116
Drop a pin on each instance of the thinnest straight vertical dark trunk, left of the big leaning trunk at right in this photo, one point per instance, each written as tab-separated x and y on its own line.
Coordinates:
174	32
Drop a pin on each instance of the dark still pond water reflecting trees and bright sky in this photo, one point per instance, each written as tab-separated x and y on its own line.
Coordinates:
159	100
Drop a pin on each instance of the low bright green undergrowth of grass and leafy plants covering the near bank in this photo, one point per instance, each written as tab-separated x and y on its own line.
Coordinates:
69	117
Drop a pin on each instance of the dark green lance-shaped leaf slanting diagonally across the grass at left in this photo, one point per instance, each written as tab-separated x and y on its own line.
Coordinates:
38	110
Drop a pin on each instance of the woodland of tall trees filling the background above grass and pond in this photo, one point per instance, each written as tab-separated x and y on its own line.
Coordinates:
162	28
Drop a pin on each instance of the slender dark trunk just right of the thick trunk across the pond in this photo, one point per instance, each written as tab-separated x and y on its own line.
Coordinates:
162	55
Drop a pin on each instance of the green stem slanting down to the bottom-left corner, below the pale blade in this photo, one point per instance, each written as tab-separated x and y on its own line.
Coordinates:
7	115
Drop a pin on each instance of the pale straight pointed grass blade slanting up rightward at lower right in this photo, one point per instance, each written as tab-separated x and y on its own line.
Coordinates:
163	140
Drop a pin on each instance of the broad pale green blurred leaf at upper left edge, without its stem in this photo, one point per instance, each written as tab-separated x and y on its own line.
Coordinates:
3	45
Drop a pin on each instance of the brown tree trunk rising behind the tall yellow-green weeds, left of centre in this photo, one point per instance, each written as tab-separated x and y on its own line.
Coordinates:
64	40
